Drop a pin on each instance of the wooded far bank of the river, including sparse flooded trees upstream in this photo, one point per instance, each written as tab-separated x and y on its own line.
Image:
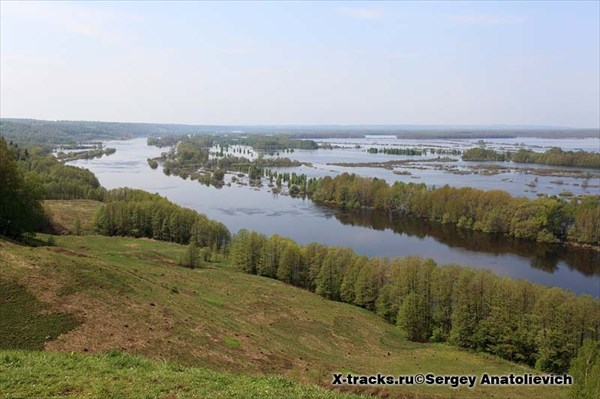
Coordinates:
545	219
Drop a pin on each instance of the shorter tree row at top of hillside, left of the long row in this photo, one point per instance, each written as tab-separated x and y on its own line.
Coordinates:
137	213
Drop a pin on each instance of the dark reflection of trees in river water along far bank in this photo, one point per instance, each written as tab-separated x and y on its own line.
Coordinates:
542	256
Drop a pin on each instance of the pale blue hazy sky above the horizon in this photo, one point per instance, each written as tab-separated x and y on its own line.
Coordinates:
434	63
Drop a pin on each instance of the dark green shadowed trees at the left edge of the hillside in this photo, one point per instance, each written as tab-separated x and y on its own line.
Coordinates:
20	207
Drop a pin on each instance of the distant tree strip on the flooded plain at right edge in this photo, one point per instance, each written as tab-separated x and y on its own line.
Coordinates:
554	156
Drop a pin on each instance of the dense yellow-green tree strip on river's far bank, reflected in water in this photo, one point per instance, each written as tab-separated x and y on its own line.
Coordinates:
545	219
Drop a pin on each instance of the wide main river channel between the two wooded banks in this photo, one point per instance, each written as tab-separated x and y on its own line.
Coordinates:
369	234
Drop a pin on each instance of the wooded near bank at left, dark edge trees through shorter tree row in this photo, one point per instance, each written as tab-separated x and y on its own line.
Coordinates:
30	175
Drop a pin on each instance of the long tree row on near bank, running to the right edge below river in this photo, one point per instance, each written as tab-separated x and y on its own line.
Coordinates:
474	309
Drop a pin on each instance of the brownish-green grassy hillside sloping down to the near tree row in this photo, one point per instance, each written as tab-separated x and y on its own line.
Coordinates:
130	295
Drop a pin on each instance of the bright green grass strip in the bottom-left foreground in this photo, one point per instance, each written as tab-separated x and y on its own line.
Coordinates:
118	375
